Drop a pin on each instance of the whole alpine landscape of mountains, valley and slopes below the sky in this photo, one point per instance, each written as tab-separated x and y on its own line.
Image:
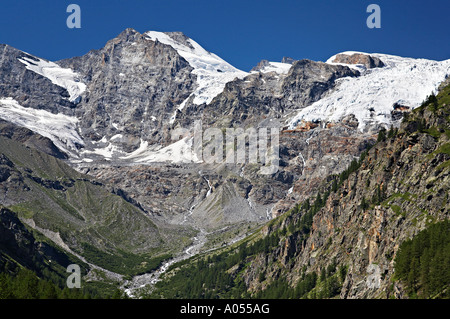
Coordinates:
95	172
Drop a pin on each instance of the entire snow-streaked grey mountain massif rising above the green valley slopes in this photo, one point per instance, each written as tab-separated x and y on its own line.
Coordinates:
115	109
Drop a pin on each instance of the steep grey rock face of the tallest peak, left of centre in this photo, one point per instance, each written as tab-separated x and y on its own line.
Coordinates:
133	87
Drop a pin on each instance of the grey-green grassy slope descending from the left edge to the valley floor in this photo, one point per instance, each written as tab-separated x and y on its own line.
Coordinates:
94	222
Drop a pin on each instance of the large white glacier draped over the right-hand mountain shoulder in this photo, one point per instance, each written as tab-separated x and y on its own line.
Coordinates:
371	96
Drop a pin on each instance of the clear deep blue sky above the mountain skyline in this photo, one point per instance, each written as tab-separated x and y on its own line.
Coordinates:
240	31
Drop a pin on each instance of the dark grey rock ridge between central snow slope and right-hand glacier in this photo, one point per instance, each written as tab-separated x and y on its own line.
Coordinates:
270	95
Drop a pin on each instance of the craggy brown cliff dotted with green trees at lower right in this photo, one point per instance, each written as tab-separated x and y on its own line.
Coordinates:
401	187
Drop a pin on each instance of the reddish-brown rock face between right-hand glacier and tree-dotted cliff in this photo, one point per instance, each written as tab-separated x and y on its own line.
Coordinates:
315	153
